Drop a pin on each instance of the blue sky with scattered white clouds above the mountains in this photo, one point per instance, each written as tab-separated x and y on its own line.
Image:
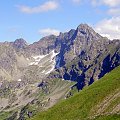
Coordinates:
33	19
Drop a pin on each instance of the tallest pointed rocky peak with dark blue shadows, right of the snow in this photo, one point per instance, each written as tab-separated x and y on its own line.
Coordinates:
85	56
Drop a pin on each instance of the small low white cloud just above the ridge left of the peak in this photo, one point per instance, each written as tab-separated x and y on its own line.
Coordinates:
49	31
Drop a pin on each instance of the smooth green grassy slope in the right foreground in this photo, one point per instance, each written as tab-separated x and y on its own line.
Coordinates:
100	101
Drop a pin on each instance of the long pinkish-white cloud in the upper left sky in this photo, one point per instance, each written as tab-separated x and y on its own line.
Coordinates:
49	5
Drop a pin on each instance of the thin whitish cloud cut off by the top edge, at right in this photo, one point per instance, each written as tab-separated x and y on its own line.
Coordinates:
111	3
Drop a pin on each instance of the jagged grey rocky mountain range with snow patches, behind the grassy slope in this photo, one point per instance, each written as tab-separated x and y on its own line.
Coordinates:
80	55
